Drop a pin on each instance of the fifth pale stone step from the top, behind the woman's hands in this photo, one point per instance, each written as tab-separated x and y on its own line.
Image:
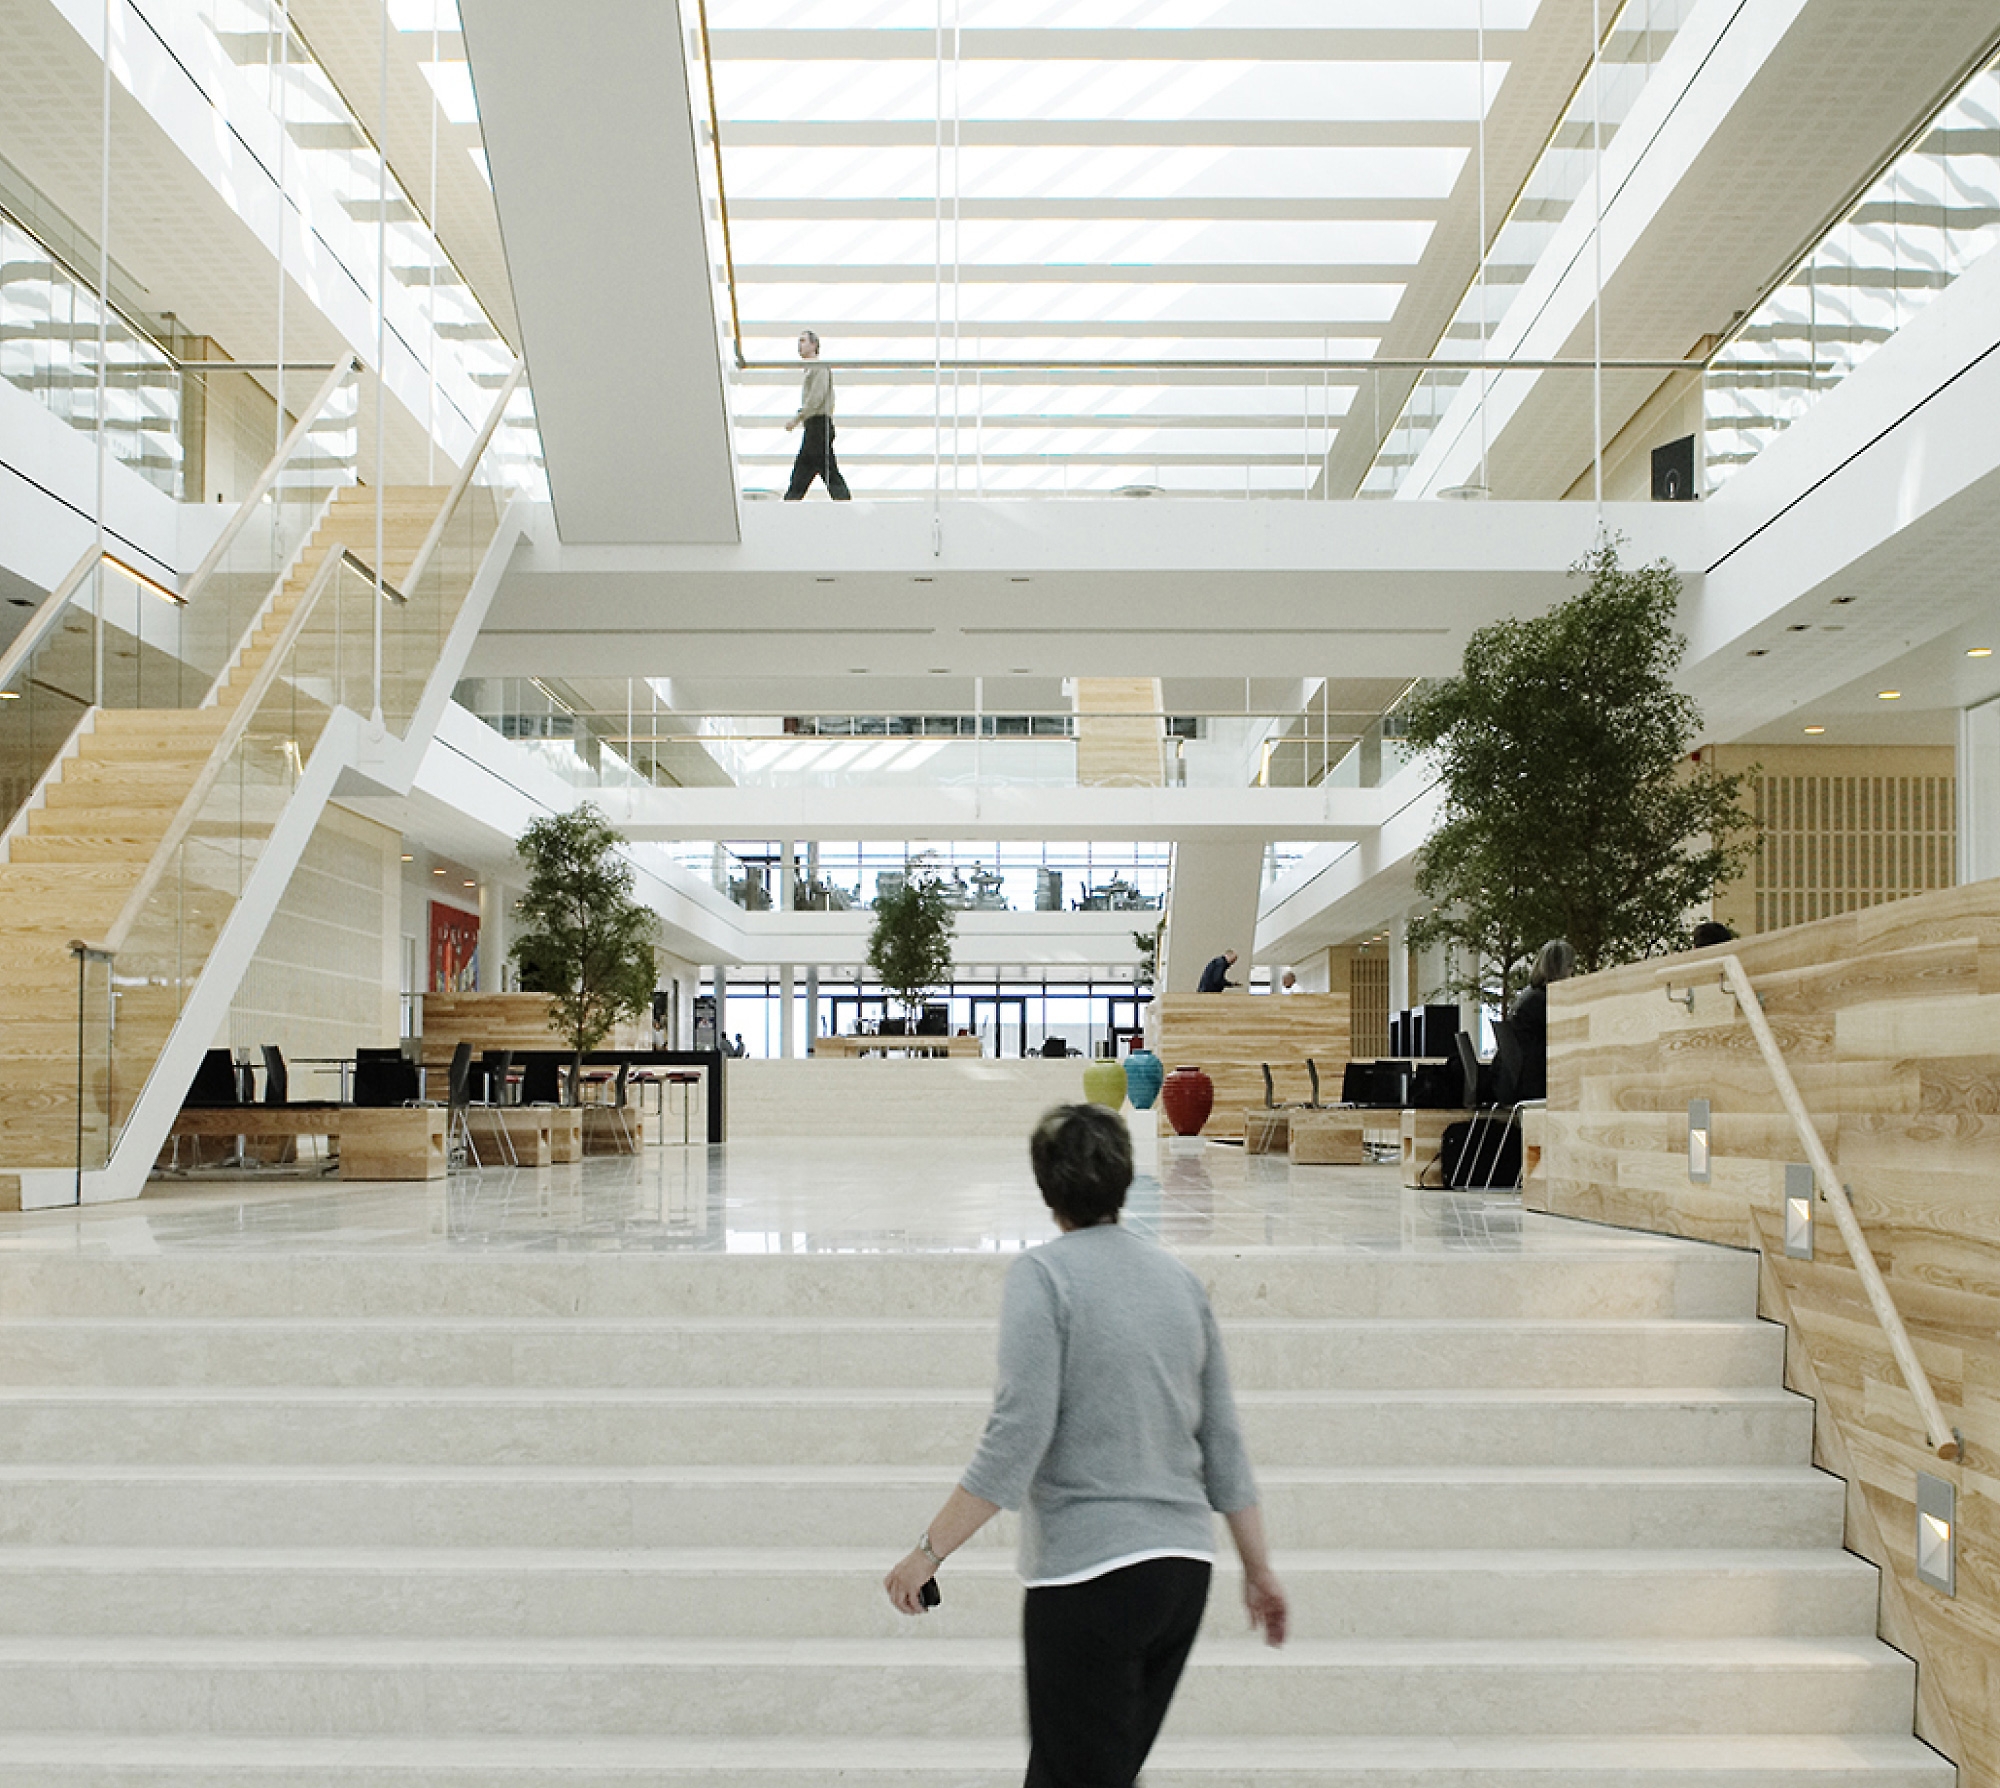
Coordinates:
793	1593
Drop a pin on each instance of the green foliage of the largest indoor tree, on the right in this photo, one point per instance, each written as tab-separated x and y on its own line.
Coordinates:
1571	805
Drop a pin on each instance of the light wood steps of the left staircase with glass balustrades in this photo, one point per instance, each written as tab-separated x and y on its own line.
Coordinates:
107	809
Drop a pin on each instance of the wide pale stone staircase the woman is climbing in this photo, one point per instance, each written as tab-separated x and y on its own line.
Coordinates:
505	1521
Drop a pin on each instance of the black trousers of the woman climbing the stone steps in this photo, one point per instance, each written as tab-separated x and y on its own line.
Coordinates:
1103	1665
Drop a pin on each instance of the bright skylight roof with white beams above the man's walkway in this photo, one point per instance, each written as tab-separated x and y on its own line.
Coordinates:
1239	181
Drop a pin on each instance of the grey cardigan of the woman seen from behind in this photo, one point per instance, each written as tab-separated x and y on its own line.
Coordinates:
1113	1427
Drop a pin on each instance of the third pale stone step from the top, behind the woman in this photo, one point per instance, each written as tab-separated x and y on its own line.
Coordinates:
863	1427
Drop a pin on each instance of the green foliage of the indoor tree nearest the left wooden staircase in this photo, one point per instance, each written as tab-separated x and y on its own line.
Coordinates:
583	939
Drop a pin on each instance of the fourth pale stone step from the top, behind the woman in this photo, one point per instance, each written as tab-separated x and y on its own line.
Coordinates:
1539	1507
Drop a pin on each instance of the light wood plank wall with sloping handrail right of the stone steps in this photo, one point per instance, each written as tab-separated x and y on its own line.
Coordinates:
1891	1025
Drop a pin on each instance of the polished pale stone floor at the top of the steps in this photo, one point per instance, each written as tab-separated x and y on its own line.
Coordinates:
799	1197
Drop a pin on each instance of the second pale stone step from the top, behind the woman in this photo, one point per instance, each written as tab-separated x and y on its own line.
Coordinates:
859	1353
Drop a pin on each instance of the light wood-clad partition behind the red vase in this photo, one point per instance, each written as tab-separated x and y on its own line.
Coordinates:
1229	1037
